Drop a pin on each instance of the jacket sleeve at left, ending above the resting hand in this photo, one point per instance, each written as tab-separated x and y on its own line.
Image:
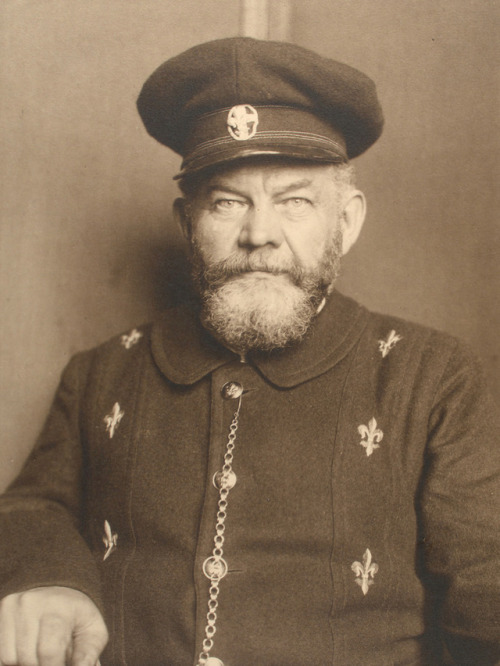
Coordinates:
41	541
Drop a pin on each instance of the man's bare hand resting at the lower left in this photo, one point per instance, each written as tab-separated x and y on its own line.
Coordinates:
50	626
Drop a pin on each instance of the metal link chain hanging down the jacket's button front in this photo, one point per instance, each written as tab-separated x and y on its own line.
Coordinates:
215	566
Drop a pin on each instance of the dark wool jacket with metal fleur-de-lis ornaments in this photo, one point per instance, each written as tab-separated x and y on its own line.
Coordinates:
363	528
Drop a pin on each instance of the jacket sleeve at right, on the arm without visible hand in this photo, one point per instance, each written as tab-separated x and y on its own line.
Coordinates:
461	513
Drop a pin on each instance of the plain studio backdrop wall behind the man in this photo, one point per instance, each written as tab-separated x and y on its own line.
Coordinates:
88	246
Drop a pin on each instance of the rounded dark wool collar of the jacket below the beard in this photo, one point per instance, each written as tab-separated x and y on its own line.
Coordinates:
185	352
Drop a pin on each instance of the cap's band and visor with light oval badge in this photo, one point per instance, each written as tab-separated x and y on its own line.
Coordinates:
245	130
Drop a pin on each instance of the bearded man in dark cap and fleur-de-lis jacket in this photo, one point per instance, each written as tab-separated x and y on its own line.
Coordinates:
269	474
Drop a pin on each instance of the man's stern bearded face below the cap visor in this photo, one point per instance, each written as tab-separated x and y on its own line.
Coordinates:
266	241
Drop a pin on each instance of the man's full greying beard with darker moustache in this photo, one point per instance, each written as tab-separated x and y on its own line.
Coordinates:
251	303
